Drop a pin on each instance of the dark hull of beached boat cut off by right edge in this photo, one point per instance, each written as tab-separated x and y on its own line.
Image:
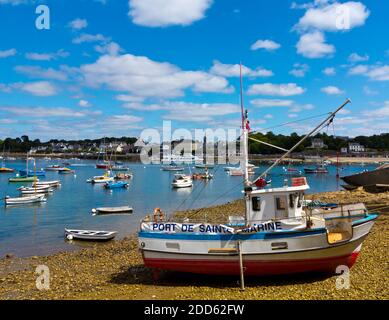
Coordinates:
369	178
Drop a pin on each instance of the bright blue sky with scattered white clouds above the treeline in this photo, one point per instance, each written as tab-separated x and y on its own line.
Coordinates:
115	67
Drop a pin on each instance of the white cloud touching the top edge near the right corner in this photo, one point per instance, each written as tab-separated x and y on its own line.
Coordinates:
334	17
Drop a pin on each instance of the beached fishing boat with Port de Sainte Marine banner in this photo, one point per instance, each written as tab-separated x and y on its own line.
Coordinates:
279	234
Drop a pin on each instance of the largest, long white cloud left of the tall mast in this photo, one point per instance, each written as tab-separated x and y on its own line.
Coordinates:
143	77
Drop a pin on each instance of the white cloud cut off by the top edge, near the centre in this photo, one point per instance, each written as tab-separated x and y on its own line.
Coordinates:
162	13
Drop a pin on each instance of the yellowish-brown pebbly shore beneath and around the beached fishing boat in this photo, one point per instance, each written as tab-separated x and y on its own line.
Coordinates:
115	270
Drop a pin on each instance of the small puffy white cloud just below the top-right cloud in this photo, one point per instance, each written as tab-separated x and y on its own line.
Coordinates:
312	45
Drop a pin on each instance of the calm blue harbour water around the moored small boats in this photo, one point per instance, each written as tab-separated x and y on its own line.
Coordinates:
37	229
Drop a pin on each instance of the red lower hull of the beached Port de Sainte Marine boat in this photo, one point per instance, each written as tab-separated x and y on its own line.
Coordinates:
252	267
